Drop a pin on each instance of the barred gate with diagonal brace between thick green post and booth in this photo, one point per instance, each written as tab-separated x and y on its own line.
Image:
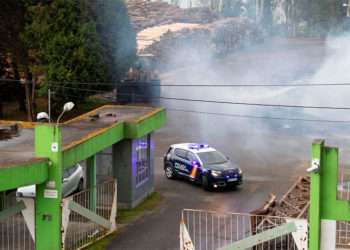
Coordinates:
80	231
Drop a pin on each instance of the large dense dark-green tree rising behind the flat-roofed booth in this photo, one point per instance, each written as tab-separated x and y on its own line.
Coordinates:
76	41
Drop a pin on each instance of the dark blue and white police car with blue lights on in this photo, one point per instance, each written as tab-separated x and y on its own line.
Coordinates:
201	164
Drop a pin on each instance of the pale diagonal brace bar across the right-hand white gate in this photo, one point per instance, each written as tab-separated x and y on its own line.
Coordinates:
262	237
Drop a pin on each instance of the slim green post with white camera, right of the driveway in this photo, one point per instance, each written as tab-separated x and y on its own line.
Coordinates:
315	195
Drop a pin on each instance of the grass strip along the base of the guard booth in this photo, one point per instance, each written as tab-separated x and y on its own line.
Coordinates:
126	216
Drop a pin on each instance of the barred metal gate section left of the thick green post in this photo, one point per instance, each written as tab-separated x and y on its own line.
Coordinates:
14	234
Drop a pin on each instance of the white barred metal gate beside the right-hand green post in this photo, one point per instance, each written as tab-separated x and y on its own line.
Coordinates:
213	230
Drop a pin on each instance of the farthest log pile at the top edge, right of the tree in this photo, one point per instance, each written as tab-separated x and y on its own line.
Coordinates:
145	14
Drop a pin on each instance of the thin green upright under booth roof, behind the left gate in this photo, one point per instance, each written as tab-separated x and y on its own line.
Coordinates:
91	181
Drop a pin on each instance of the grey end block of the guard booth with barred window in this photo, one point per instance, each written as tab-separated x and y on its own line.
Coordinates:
130	190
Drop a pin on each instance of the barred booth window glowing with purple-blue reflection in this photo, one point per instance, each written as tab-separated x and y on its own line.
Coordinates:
142	150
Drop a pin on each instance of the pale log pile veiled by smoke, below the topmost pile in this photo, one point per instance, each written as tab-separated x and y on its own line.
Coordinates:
218	38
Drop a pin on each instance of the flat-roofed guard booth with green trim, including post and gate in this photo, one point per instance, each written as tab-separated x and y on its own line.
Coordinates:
39	154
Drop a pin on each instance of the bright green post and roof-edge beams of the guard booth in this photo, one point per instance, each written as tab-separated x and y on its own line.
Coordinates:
46	173
